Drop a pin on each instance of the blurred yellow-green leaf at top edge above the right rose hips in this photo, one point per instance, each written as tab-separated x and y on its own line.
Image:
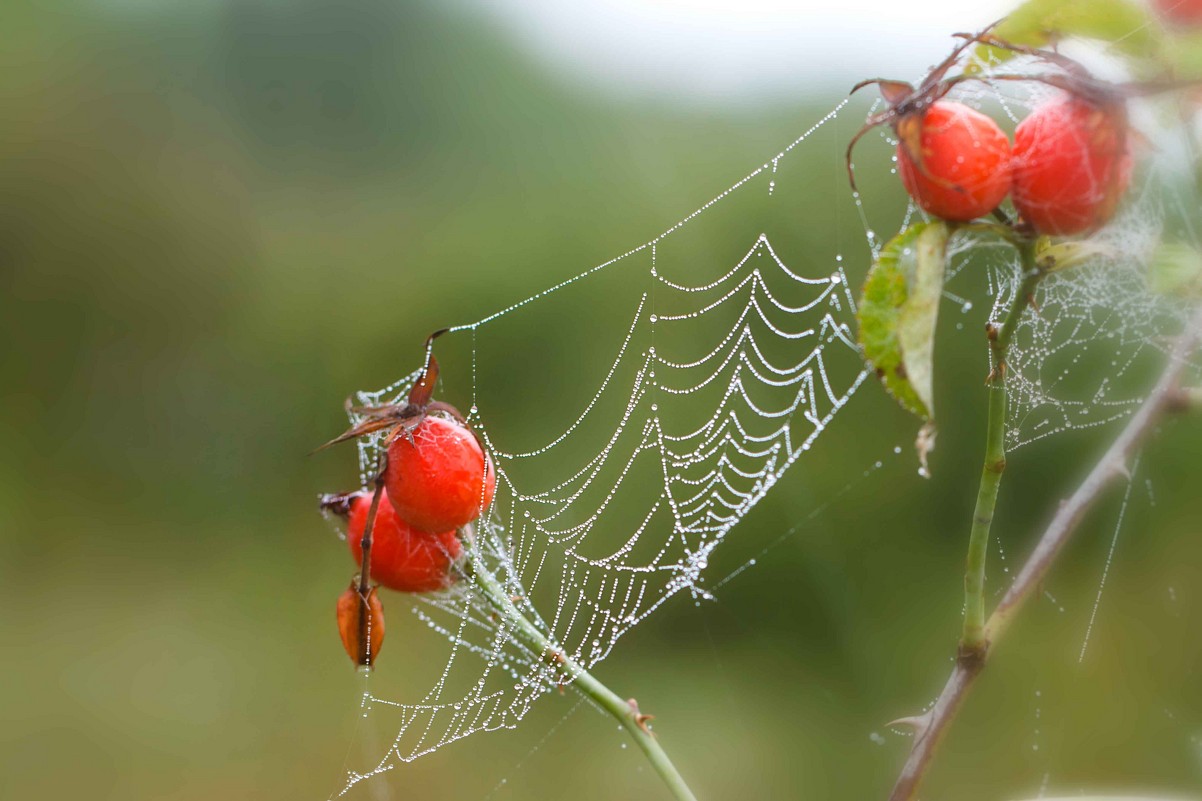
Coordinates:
1123	23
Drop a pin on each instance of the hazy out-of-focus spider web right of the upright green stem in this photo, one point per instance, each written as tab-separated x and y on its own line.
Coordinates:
1087	351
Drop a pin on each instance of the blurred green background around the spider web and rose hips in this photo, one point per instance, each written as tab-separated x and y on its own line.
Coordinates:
217	219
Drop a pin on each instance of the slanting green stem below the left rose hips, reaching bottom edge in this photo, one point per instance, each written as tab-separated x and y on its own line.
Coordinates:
626	713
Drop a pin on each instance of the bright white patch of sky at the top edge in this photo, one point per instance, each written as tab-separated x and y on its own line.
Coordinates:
733	50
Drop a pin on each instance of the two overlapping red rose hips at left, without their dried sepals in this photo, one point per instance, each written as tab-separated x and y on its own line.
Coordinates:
437	480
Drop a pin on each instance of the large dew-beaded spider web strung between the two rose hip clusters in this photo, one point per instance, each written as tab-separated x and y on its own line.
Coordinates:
729	367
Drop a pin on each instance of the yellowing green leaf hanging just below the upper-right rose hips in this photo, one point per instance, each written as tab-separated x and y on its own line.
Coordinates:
898	311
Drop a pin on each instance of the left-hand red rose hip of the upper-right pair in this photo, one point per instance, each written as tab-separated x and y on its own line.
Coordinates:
966	164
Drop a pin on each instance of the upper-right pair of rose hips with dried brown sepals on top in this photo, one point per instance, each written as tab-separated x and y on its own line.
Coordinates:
1066	174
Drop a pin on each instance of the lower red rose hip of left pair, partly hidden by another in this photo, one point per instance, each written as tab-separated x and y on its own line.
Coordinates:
403	559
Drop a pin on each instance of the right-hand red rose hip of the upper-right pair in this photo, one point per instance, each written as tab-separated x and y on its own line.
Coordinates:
1072	165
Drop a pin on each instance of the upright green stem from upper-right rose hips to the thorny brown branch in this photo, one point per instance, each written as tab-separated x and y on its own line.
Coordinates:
973	642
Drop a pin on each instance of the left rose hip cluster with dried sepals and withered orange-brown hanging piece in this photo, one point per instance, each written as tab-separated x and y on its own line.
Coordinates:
435	479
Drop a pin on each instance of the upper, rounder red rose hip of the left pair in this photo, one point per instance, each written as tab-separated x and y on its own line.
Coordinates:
436	482
